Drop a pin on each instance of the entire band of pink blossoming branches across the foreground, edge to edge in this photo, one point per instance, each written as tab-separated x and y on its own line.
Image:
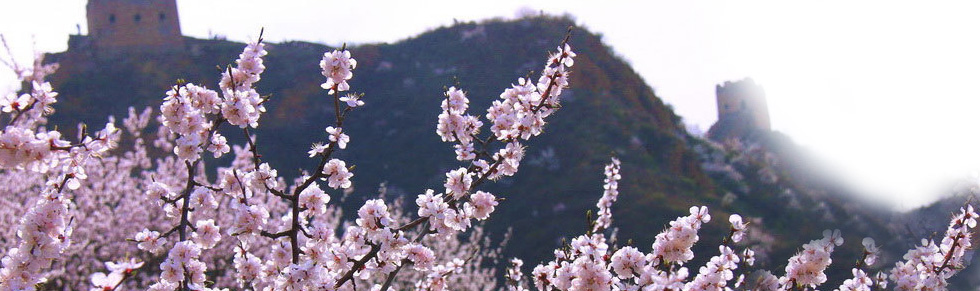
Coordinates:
245	227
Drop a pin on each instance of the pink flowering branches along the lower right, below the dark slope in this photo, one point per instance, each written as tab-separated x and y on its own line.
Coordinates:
592	262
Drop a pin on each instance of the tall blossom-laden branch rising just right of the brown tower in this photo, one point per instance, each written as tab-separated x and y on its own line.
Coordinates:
193	114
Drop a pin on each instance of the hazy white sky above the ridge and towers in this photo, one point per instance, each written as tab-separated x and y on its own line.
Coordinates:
881	90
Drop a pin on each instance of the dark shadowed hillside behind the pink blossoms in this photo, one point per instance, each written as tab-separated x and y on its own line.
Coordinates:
609	110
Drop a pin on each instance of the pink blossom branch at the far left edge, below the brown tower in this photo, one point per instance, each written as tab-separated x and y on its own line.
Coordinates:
44	231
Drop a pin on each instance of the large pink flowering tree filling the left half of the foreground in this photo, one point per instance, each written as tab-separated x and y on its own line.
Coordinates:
297	247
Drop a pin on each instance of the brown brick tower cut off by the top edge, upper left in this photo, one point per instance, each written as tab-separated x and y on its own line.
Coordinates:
134	24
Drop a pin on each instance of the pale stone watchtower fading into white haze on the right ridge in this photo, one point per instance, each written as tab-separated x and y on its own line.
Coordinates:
742	110
